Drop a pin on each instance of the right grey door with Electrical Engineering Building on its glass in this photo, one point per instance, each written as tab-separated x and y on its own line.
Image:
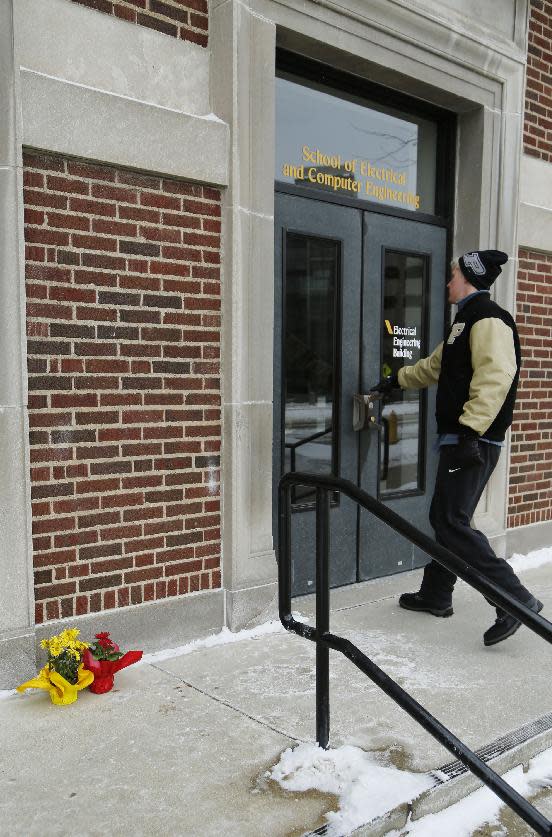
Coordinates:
402	315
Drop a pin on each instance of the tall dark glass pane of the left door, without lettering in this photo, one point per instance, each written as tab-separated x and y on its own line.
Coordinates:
310	348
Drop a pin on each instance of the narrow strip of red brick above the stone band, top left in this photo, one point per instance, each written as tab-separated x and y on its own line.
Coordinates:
186	19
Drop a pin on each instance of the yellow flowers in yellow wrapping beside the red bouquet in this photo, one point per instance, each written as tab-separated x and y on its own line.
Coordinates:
64	675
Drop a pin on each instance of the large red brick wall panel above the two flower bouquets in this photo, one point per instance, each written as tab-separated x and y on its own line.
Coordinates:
123	318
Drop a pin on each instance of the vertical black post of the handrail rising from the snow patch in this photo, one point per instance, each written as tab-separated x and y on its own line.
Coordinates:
322	617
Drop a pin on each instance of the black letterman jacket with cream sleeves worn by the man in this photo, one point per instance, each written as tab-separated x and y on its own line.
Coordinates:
476	368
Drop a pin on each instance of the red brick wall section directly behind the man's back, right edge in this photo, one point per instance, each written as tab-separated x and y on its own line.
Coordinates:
531	456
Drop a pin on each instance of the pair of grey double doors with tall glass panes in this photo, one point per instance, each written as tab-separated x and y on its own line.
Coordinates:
357	295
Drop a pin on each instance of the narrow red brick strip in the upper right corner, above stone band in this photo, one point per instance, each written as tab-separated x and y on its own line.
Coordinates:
537	134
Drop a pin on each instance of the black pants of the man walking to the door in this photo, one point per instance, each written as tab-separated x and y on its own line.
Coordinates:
457	492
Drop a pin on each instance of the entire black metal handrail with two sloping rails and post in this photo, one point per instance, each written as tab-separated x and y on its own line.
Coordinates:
325	640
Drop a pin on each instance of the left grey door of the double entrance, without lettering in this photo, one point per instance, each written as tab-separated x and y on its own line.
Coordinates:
318	251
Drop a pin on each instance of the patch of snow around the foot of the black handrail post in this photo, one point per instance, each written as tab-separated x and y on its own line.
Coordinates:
365	785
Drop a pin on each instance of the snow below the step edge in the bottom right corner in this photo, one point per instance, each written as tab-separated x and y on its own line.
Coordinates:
482	806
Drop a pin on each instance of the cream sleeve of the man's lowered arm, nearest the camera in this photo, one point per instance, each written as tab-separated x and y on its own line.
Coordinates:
494	368
